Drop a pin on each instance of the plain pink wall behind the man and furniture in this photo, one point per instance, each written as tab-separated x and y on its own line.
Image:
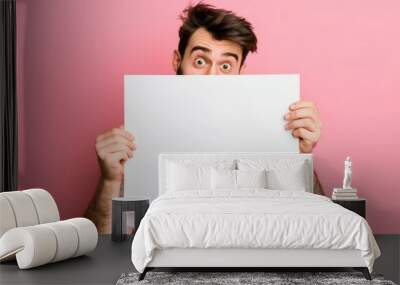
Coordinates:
72	56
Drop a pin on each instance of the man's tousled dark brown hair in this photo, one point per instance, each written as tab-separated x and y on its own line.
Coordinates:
222	24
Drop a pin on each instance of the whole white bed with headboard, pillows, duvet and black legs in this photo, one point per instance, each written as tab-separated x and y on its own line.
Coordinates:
247	210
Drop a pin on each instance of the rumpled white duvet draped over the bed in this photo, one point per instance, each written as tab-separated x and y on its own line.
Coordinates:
250	218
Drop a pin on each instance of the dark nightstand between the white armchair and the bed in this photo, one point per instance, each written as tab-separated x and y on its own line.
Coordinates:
126	216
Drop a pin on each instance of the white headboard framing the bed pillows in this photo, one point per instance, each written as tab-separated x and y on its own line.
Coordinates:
234	156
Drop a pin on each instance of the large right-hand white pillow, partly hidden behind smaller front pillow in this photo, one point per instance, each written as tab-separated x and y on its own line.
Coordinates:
282	174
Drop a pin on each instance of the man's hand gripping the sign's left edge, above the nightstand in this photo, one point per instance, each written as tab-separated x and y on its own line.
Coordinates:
113	149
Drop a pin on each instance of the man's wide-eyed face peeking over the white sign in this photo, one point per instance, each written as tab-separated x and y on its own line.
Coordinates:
206	56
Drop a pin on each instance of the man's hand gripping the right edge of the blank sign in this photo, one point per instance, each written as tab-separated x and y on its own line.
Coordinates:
303	120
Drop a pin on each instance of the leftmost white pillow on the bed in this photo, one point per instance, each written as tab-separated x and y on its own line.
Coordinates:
184	177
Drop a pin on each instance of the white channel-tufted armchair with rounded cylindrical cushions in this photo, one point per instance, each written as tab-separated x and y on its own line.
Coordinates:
31	230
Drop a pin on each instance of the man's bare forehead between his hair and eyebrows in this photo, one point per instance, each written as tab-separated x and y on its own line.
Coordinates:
203	38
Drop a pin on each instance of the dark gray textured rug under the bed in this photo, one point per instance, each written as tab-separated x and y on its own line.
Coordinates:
225	278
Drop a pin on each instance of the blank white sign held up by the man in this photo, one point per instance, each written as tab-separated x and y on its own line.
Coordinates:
197	113
